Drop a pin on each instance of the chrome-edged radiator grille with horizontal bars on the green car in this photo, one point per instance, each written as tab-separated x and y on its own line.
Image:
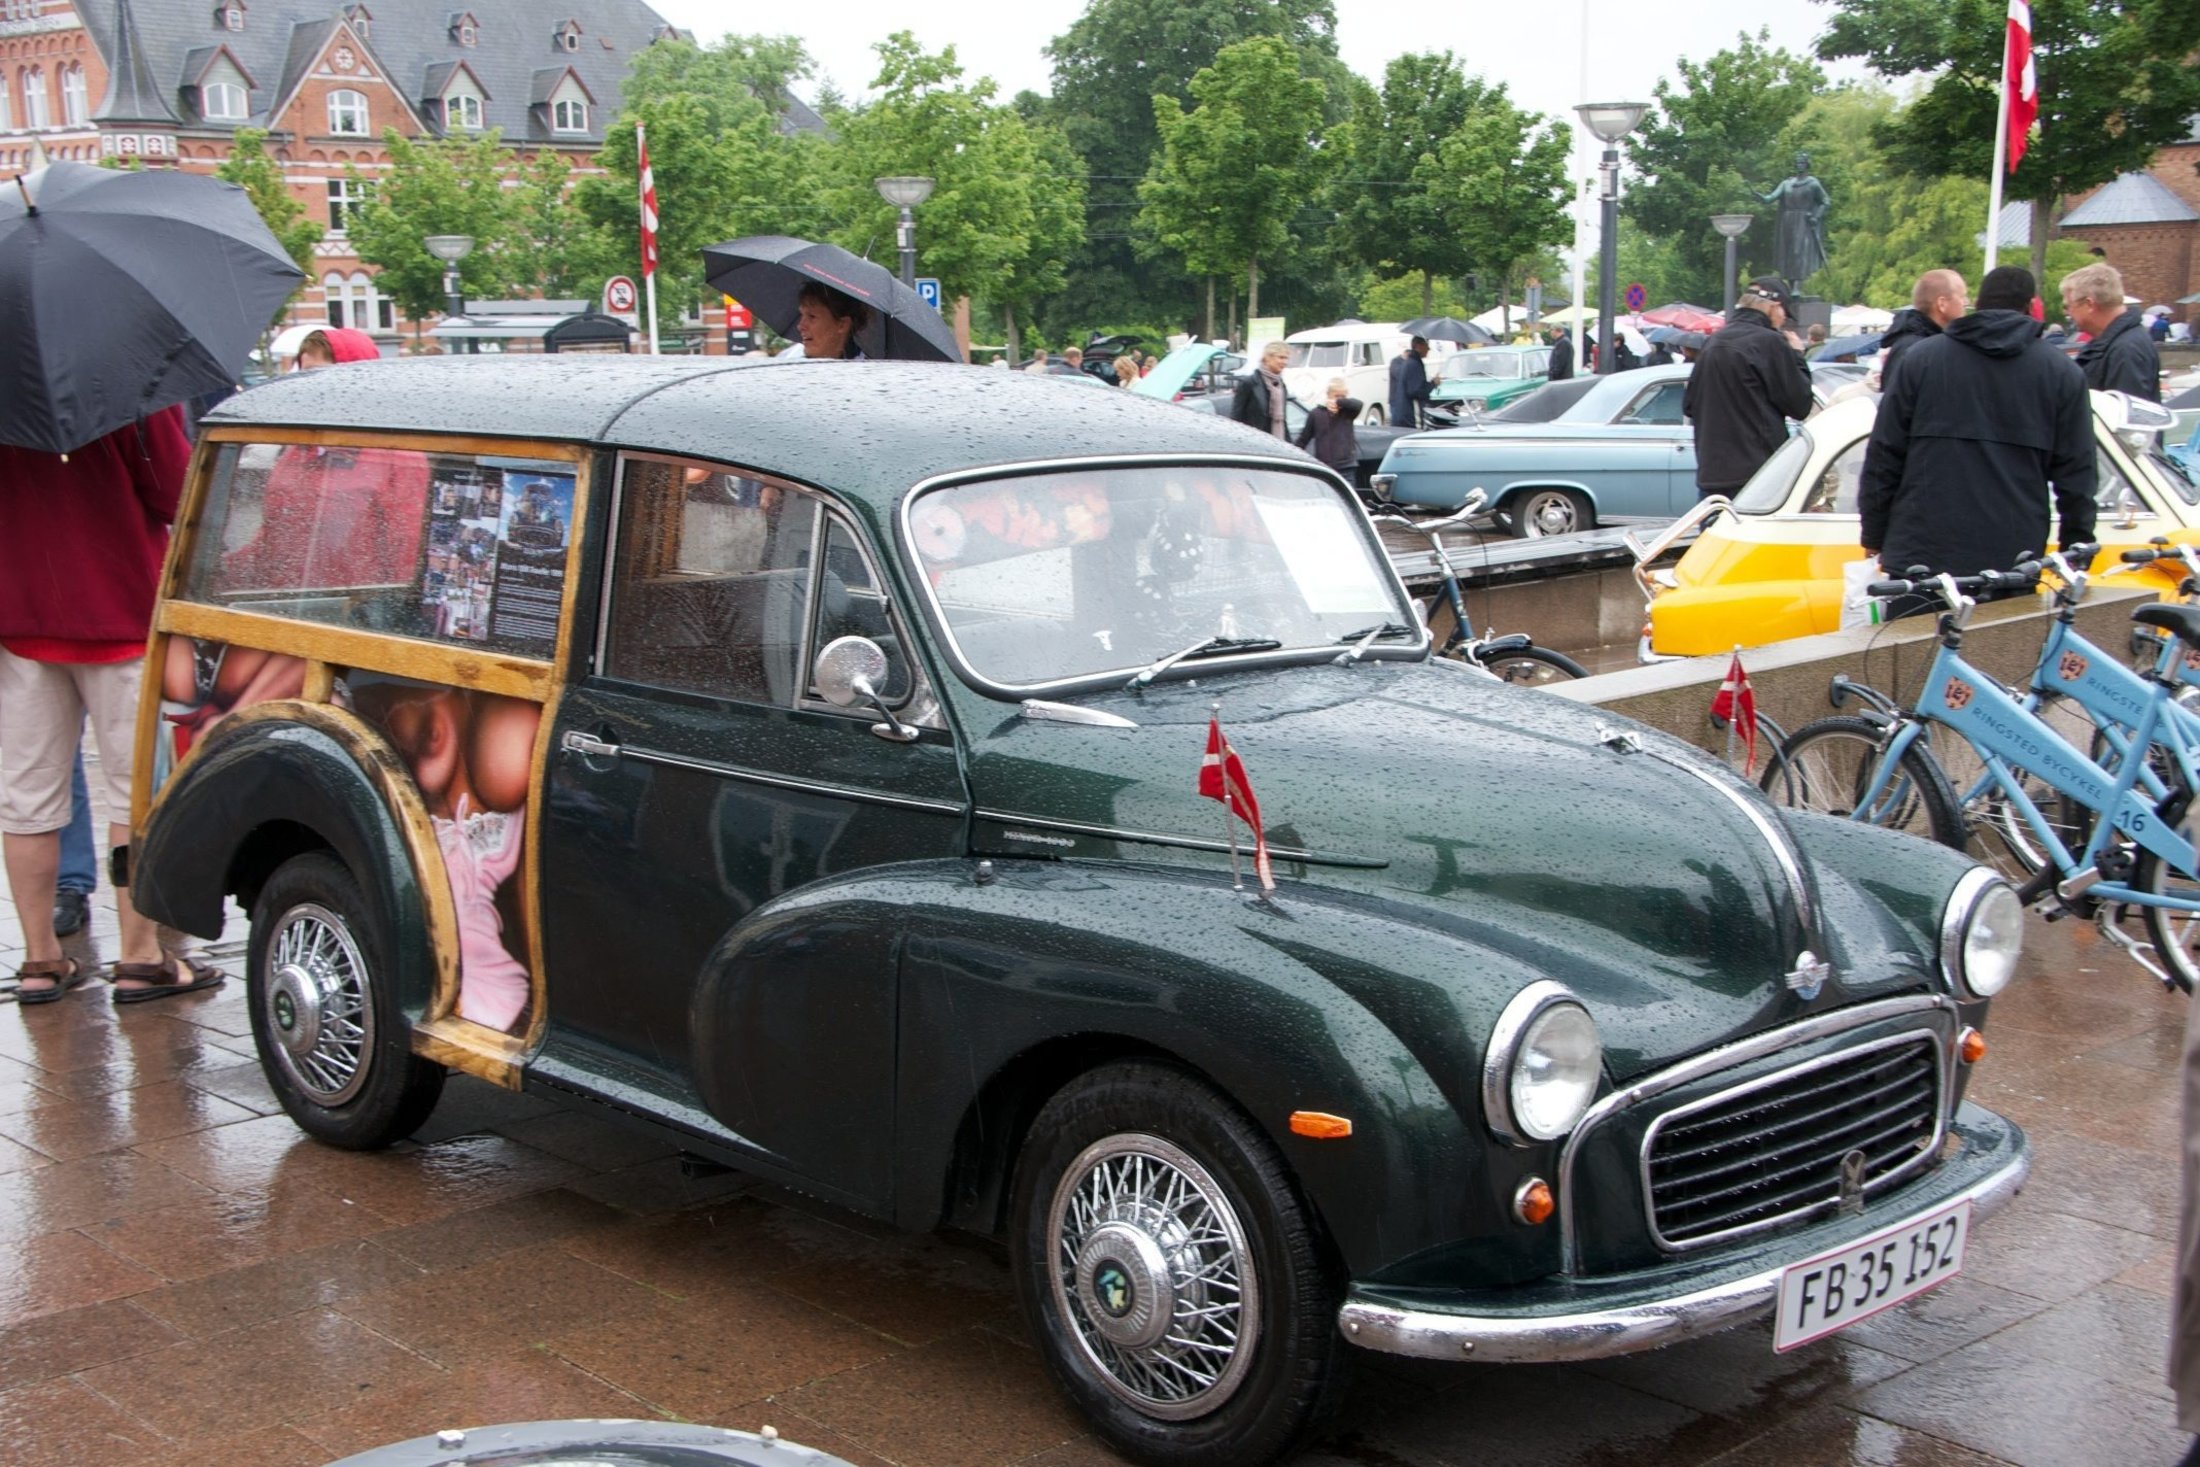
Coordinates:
1774	1149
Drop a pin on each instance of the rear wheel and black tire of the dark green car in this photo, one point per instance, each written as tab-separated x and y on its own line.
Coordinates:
333	1041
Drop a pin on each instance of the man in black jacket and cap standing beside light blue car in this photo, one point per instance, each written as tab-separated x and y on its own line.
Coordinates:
1746	386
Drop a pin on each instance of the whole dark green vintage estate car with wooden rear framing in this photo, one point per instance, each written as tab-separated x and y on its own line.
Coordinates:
806	762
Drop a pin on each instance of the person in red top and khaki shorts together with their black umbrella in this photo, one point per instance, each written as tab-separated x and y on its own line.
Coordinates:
93	452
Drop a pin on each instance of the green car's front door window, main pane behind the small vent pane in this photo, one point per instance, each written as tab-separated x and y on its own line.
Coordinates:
712	584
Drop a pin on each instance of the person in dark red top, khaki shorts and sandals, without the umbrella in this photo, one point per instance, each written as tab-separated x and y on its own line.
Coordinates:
82	538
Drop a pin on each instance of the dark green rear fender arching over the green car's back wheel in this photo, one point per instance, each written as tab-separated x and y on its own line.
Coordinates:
274	782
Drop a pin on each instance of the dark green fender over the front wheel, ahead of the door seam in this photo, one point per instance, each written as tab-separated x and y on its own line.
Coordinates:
1317	1002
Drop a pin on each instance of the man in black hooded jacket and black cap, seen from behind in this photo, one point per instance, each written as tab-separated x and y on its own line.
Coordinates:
1974	434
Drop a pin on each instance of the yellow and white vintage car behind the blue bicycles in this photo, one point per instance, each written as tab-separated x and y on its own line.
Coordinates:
1768	566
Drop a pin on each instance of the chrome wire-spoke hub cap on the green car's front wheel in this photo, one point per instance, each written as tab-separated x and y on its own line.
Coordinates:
1154	1277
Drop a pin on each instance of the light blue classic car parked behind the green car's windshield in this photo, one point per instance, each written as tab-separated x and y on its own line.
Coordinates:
1567	456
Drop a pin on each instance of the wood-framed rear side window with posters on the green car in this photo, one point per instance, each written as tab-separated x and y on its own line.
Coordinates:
441	547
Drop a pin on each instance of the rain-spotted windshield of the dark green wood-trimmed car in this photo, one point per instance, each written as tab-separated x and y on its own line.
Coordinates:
1092	575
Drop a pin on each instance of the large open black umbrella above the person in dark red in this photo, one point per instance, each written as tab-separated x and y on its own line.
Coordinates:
126	294
